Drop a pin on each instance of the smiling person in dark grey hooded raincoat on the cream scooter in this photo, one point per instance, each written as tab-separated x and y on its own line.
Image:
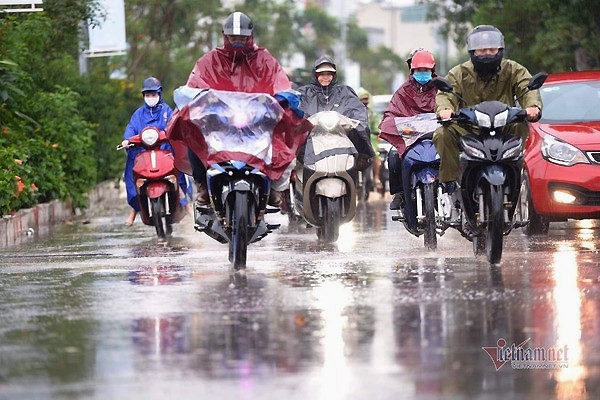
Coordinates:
325	94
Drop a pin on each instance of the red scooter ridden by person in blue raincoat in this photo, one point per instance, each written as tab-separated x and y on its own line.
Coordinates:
155	178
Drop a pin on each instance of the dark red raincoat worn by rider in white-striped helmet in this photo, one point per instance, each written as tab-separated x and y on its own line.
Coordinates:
250	69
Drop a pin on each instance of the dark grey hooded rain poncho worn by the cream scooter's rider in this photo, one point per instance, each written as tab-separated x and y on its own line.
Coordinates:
340	98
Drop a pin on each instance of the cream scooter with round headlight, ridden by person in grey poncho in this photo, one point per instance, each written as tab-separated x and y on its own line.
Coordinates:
324	188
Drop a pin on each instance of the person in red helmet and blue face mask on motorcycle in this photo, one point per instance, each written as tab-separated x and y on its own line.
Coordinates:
415	96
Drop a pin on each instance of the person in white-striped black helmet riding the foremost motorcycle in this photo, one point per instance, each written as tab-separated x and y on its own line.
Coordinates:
241	66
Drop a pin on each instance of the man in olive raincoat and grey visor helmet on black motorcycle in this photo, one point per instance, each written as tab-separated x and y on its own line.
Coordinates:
486	76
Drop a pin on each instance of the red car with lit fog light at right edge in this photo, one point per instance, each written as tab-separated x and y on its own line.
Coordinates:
561	178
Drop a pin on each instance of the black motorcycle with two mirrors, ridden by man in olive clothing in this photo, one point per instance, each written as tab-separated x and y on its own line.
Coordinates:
490	170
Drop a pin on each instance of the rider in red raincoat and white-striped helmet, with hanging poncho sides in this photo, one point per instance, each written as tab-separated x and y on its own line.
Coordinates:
241	66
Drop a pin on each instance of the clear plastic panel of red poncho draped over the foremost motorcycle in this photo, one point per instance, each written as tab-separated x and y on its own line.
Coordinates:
236	122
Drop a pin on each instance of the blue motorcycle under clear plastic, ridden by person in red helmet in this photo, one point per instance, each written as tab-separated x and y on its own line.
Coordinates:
424	208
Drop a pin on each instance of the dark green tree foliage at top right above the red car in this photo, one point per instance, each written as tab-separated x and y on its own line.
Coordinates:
550	35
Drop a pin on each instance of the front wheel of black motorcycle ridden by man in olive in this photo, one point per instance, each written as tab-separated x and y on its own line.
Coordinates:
494	210
